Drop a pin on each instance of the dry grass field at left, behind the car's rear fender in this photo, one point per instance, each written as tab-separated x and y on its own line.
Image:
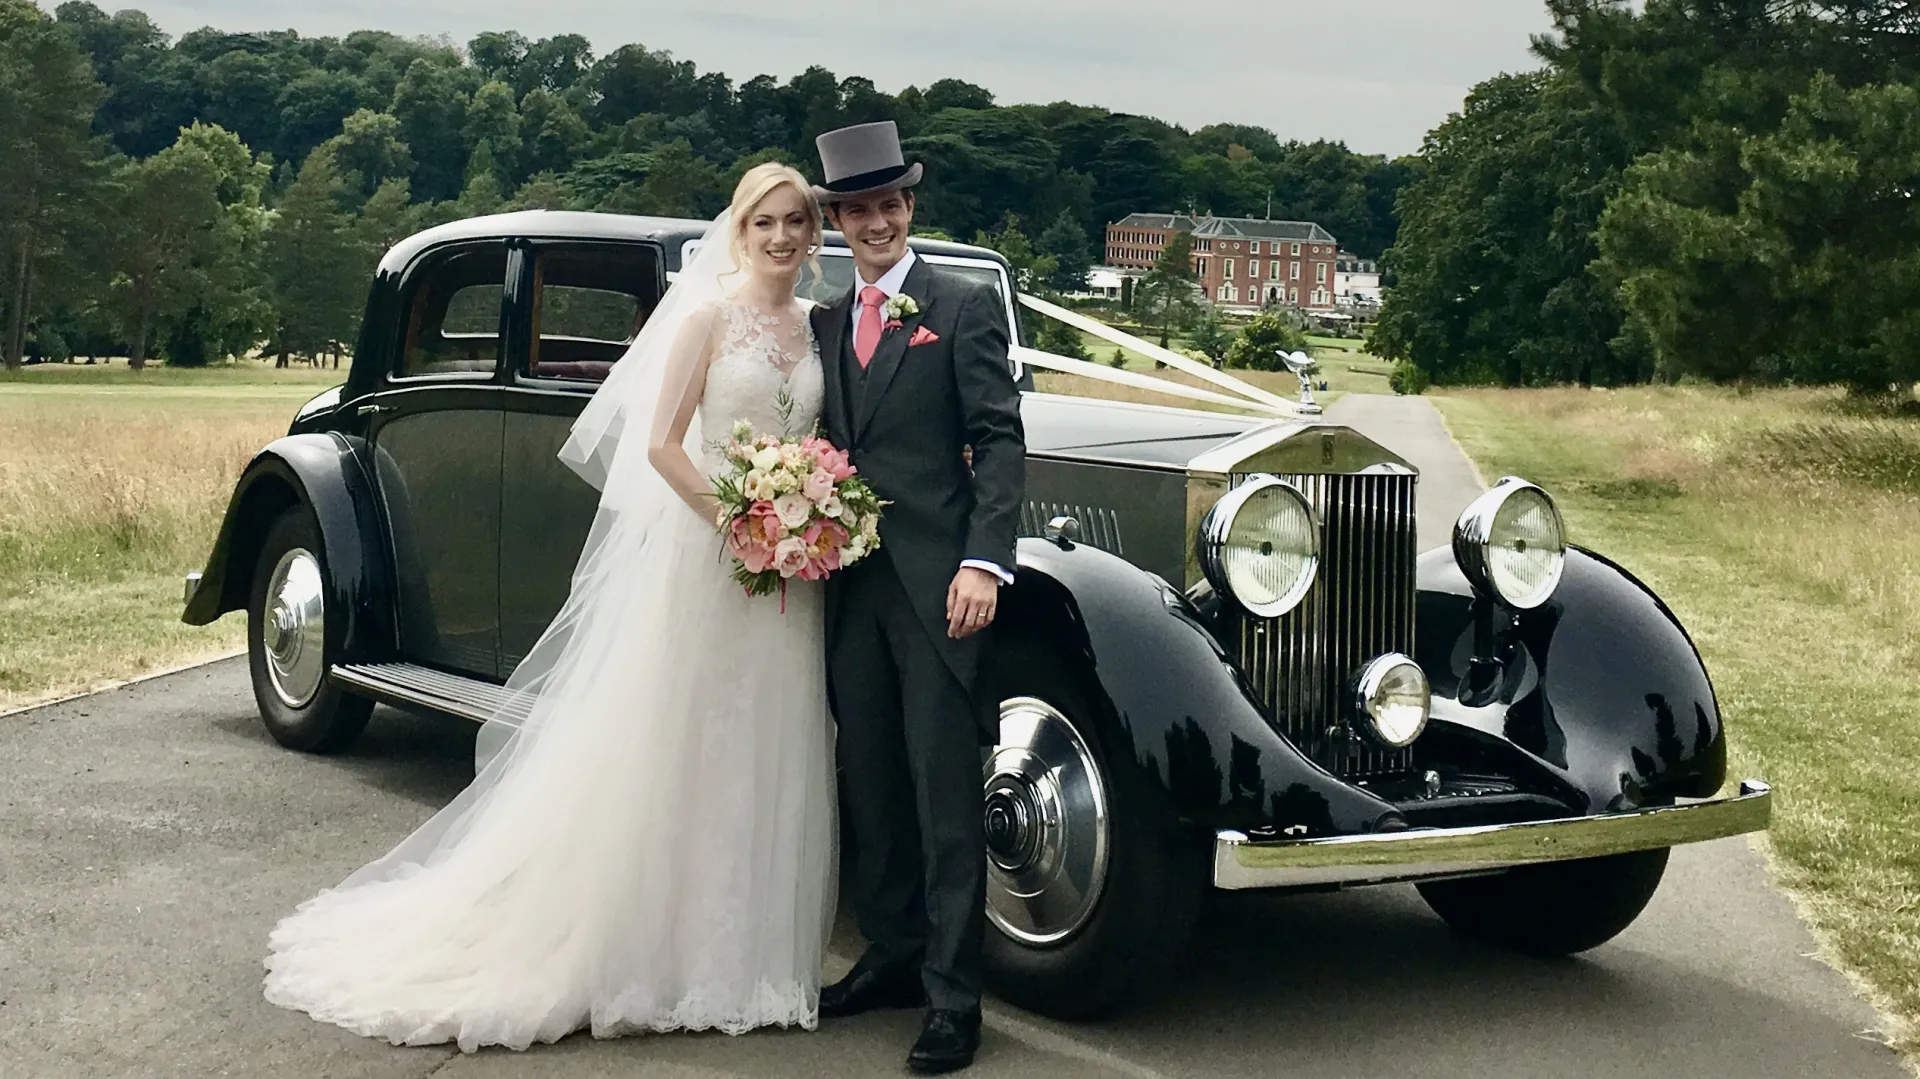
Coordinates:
112	489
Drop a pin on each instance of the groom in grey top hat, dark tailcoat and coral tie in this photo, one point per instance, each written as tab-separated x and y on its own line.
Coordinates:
917	373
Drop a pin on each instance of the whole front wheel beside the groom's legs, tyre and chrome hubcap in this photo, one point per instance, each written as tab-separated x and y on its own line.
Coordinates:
1092	890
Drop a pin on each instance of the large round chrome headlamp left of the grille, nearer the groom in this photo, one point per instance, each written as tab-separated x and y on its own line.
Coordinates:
1260	546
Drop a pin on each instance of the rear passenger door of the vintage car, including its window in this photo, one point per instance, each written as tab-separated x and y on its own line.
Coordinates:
437	444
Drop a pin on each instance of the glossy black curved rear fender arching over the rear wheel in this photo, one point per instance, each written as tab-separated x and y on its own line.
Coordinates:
324	473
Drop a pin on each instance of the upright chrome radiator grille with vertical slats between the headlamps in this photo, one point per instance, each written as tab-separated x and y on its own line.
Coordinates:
1360	606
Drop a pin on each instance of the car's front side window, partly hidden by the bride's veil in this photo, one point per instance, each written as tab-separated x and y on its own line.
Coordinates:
588	308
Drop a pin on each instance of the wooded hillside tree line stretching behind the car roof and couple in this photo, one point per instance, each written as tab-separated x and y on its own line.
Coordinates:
204	197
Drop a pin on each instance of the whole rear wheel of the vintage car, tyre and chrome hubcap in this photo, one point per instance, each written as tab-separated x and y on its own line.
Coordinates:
293	646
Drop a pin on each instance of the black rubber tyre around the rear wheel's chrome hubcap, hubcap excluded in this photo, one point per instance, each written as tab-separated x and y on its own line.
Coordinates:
327	719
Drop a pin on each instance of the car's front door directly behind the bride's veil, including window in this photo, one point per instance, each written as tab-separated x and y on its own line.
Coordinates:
579	308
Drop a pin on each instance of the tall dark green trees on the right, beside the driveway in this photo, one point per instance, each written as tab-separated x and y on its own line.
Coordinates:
1712	189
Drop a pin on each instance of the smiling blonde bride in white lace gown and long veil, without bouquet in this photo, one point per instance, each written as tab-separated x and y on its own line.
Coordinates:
652	850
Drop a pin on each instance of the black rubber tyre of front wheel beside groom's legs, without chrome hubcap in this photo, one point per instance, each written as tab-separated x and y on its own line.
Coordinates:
1155	882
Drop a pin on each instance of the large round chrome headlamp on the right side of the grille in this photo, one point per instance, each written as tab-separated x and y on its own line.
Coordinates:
1512	544
